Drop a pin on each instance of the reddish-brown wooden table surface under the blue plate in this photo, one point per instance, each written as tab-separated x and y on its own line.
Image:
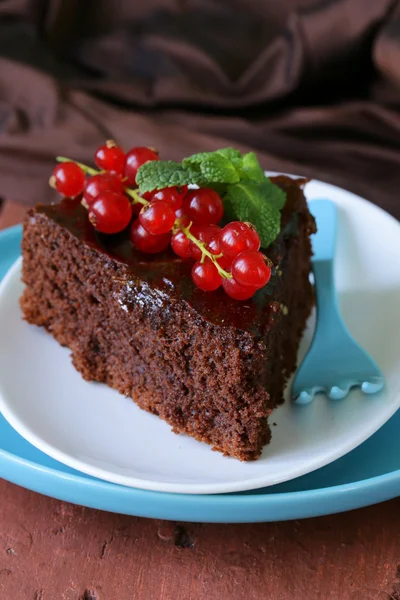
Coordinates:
52	550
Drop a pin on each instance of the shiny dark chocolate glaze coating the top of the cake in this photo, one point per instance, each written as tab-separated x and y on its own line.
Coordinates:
167	273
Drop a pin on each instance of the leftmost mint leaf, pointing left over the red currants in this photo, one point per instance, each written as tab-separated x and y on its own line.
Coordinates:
158	174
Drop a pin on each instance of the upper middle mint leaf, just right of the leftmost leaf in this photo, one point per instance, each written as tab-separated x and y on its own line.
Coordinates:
214	167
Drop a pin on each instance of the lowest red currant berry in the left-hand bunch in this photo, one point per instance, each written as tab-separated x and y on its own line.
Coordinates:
110	212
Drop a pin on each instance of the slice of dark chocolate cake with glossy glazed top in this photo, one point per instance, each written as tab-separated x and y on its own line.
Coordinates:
212	367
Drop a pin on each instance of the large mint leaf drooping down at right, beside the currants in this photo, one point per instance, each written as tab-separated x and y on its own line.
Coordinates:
248	201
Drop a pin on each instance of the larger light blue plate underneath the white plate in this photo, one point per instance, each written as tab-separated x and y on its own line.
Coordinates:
367	475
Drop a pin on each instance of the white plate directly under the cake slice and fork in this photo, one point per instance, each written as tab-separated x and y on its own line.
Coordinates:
96	430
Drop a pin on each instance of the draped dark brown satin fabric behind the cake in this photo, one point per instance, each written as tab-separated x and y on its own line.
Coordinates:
312	85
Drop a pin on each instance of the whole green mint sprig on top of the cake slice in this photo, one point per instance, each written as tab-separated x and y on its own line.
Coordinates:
248	195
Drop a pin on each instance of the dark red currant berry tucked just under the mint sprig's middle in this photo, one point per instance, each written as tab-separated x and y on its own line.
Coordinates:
203	206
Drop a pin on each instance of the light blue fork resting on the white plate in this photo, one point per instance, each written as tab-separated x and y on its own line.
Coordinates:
335	362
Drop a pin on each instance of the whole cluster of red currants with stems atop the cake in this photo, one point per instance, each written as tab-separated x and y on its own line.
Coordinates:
186	219
